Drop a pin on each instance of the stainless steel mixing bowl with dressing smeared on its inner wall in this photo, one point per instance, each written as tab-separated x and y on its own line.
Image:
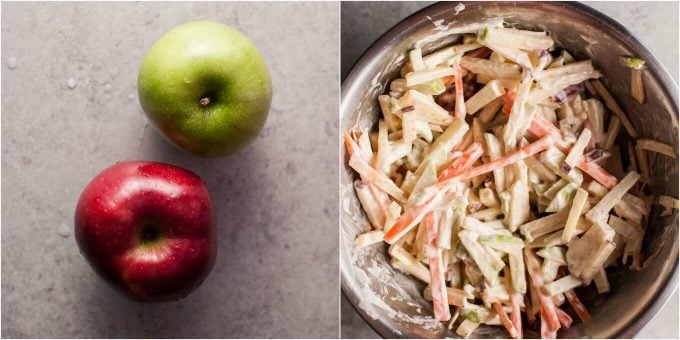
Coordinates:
390	301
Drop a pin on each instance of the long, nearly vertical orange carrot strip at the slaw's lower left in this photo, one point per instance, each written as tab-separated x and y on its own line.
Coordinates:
440	299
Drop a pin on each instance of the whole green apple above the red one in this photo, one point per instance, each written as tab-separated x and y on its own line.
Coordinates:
206	88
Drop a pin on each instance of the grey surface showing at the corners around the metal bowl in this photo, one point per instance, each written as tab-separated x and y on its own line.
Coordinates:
655	23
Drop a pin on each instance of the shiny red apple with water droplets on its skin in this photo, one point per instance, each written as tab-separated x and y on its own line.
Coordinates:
148	228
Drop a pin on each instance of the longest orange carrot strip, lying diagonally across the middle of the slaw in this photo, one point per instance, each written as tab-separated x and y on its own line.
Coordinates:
415	213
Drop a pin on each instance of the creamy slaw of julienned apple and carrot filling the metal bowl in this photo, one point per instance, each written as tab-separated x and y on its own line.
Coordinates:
496	177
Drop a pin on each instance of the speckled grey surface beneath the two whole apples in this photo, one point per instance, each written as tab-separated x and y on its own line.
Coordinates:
70	109
